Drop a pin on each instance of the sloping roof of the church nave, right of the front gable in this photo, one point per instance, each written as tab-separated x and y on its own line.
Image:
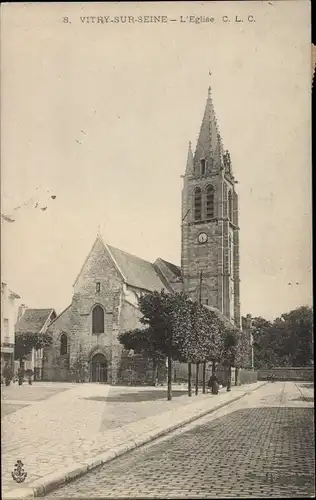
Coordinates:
137	272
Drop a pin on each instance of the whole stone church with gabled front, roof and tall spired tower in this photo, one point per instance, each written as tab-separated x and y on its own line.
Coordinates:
106	291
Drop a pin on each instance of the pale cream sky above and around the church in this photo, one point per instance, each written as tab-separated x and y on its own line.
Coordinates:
101	115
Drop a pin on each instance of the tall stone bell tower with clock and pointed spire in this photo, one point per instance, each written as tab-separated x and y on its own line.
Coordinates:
210	230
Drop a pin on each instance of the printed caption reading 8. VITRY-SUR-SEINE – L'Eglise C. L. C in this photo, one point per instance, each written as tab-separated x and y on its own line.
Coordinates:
160	19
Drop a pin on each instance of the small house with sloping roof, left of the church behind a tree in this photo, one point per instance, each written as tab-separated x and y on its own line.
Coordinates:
35	321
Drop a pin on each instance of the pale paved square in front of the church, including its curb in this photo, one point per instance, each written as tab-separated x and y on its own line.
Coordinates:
70	433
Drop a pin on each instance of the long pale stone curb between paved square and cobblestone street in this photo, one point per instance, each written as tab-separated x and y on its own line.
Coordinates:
52	481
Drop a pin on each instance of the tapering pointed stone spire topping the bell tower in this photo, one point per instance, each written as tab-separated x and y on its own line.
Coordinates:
209	145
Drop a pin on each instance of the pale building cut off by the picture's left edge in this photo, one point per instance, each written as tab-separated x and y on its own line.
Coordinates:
9	314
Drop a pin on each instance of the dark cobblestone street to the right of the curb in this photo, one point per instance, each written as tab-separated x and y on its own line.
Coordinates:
260	446
